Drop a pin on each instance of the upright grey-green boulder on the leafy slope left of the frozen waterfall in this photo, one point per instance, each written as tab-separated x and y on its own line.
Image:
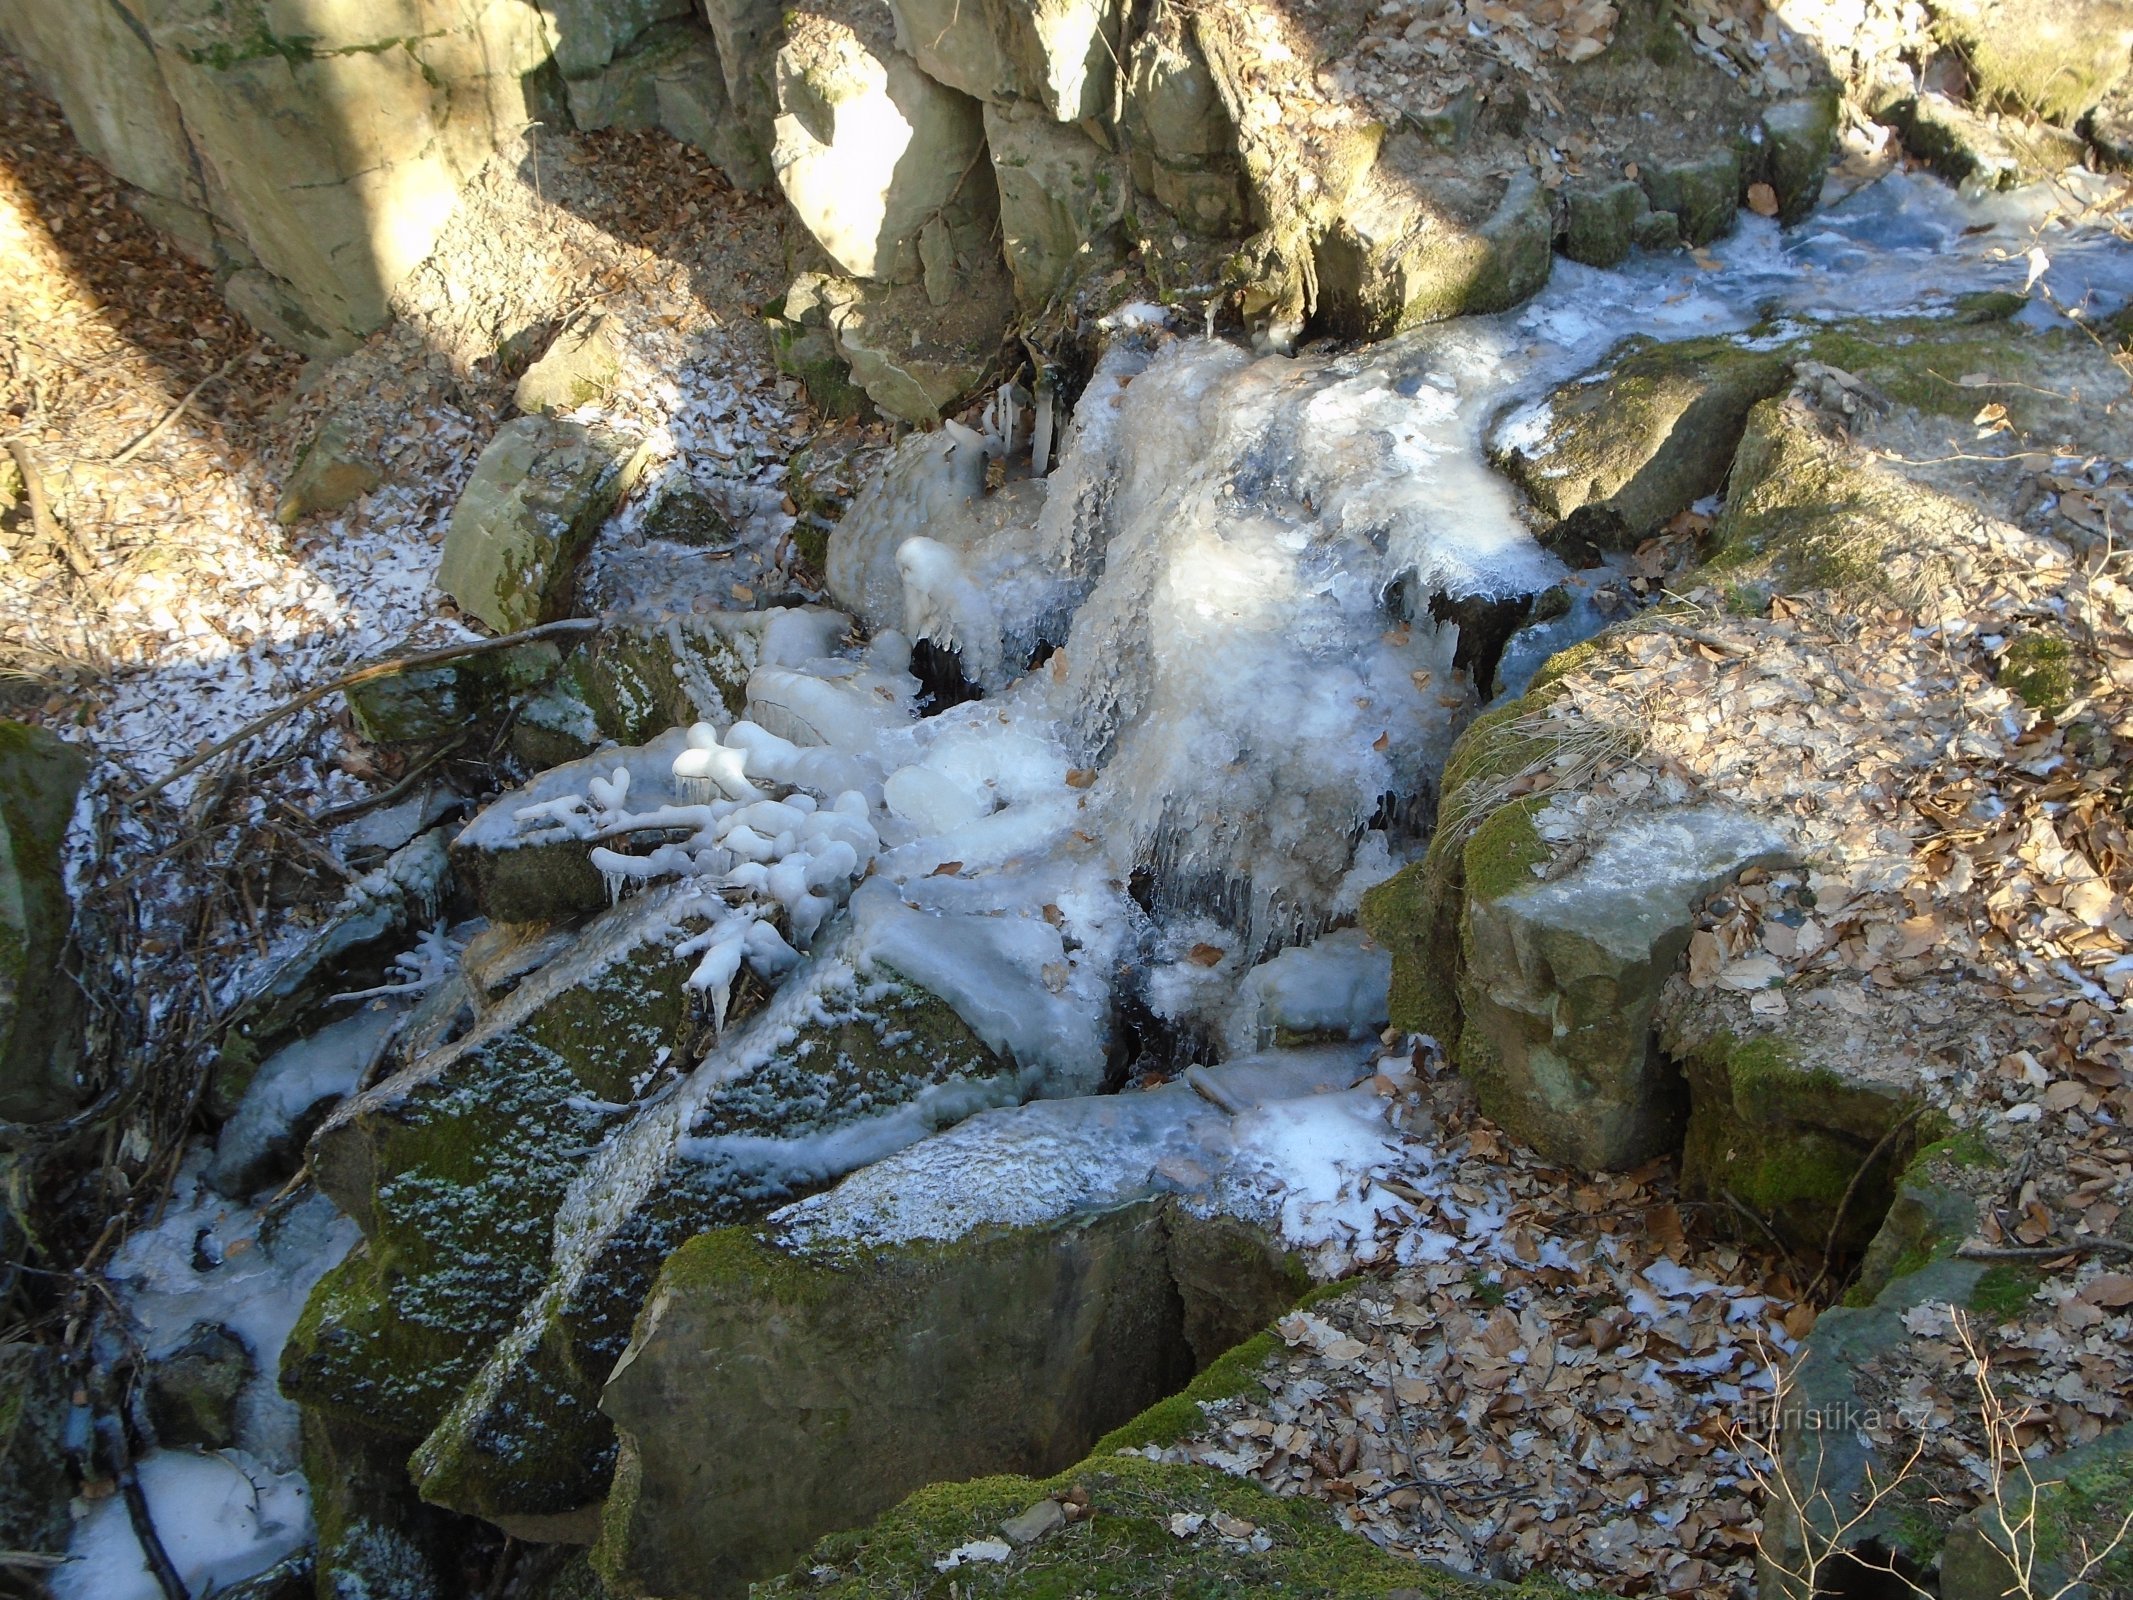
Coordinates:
534	505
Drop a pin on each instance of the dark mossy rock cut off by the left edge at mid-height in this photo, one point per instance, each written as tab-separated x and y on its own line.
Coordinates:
42	1012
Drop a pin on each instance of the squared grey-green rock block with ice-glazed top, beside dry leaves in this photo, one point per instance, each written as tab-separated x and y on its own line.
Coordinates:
1562	982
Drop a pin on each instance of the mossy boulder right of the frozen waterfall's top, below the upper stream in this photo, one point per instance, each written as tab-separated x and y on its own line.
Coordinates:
1618	455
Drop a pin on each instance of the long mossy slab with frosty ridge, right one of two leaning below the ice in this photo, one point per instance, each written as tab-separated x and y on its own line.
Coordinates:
844	1066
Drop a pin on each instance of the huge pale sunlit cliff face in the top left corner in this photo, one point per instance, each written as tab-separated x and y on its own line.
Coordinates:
308	153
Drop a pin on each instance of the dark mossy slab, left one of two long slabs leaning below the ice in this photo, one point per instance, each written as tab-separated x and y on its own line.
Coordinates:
458	1164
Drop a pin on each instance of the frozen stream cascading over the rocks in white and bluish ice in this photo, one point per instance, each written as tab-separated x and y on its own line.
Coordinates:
1215	703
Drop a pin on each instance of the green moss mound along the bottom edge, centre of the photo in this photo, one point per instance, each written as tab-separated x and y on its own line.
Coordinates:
1123	1552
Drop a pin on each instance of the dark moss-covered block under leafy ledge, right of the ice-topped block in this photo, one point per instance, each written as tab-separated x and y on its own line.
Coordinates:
1803	1149
